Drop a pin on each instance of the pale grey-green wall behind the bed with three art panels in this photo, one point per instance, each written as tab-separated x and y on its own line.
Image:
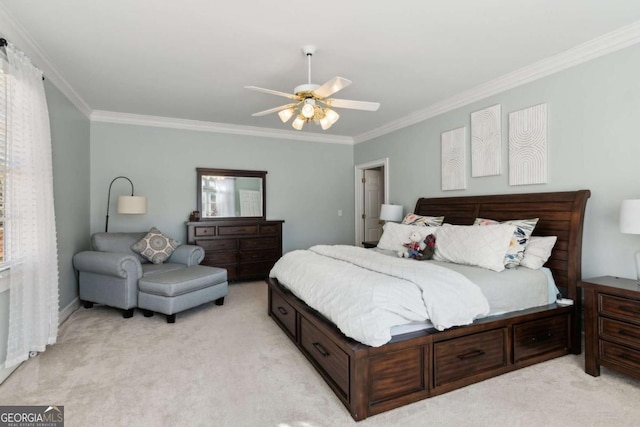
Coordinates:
593	139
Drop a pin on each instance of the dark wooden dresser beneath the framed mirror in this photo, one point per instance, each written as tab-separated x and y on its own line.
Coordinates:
246	248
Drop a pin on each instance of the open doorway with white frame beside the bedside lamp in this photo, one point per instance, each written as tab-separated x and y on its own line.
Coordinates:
372	190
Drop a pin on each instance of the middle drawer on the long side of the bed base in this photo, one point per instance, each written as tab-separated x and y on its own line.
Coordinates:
461	357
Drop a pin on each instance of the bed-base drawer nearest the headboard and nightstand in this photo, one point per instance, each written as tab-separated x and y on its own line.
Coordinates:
539	337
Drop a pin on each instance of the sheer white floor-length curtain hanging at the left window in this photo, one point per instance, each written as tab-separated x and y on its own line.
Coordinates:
30	234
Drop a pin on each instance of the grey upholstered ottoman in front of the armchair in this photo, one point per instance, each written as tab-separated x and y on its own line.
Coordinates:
178	290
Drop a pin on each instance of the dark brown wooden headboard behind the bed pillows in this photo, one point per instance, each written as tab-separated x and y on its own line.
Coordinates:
560	214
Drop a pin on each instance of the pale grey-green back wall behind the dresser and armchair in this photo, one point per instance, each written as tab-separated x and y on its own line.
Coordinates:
307	182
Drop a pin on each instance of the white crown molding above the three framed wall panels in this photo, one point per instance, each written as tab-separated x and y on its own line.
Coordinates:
603	45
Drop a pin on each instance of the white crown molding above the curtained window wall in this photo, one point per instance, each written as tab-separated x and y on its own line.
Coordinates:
16	35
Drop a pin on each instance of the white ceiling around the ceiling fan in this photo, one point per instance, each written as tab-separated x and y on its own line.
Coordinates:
191	59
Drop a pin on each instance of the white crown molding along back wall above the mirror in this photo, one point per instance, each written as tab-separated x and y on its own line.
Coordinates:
202	126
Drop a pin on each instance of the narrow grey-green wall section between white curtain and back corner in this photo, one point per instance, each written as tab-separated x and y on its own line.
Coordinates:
70	134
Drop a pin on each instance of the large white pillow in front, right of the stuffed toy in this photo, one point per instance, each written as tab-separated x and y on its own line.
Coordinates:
481	246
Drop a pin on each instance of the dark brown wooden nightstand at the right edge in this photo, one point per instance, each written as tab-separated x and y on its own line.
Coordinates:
612	325
